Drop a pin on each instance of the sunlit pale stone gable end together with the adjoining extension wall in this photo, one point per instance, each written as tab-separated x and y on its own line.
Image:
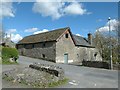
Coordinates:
76	54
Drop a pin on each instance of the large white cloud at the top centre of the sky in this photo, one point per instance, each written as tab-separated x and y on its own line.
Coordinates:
59	8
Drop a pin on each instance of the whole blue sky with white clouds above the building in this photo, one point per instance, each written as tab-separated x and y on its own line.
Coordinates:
21	19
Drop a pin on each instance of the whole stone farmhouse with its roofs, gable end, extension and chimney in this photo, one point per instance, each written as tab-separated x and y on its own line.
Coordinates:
59	46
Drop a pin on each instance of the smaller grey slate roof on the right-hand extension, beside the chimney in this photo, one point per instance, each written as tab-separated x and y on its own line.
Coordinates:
81	41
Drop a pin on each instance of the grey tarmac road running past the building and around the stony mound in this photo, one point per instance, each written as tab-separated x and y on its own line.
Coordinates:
79	76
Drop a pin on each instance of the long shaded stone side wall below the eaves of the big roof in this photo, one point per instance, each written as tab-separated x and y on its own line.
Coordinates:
45	50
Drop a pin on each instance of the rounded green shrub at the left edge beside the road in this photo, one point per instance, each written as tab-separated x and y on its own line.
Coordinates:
8	52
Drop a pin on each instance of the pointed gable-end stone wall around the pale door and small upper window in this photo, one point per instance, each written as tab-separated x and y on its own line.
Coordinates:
65	46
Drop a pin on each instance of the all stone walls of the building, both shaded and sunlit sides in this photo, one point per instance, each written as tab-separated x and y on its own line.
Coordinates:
55	51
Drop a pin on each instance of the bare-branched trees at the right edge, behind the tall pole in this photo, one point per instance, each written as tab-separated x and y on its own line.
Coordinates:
102	42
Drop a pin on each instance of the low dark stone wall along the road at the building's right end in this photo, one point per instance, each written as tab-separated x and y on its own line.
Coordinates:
96	64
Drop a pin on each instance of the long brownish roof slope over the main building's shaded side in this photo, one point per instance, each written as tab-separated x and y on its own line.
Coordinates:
43	37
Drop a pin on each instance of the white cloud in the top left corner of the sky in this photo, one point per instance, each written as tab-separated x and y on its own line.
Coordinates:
6	9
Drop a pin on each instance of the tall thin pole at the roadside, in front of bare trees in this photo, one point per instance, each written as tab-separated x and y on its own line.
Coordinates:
110	47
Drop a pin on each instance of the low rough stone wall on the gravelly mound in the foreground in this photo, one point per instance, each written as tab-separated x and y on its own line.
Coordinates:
51	69
